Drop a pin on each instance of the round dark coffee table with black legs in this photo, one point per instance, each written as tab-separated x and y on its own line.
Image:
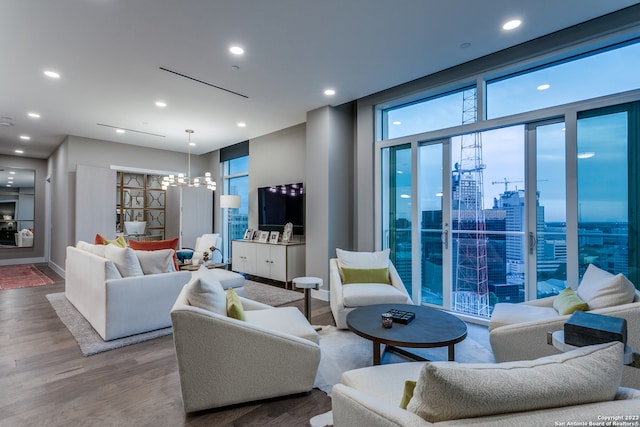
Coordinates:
430	328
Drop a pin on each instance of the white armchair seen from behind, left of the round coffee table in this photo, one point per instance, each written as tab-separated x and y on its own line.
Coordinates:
224	361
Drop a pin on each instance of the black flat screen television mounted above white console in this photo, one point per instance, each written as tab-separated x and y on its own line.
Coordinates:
280	204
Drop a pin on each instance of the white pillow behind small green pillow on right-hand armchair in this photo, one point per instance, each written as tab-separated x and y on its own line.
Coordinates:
600	289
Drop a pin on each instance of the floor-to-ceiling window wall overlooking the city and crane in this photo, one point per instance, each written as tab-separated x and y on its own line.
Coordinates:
513	205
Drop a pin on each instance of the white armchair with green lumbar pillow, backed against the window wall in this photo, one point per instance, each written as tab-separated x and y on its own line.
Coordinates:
347	297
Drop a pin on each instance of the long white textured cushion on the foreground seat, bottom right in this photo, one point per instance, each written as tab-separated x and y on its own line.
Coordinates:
588	374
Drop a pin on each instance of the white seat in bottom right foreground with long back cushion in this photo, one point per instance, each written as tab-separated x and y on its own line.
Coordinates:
543	392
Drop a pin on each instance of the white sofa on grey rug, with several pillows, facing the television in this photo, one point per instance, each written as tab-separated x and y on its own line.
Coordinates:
117	299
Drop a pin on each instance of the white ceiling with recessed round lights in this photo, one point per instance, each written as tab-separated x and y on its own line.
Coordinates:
110	55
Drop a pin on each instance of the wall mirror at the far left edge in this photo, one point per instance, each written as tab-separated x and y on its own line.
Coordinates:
17	207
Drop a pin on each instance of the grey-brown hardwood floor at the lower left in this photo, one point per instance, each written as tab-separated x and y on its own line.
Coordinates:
46	381
